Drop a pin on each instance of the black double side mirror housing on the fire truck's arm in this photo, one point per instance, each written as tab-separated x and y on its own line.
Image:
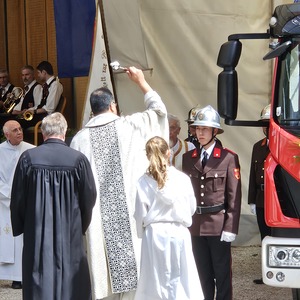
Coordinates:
228	59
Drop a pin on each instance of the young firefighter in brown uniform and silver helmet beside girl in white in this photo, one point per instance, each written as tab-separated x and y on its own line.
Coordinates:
215	175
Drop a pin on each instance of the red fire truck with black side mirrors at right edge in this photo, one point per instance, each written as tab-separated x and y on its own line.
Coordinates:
281	251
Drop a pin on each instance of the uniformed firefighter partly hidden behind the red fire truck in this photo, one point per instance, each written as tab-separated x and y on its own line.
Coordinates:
260	152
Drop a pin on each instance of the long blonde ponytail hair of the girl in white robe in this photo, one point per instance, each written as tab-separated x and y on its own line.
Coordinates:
157	154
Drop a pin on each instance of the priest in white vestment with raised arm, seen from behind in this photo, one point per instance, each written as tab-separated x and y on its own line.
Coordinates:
115	147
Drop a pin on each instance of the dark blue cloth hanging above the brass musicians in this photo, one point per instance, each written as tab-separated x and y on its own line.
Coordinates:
74	22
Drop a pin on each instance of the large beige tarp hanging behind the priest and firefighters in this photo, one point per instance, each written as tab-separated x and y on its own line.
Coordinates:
180	40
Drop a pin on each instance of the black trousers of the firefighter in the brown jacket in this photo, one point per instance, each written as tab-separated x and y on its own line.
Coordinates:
213	260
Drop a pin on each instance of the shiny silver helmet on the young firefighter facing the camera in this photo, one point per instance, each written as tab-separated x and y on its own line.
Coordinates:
209	117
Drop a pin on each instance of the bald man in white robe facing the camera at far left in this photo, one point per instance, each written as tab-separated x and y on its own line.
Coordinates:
10	247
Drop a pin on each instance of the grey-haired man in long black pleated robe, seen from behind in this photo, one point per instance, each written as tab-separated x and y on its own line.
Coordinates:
52	198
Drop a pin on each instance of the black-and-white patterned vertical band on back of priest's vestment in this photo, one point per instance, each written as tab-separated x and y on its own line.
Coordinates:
114	210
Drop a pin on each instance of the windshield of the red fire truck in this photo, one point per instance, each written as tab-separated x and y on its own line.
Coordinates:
287	95
